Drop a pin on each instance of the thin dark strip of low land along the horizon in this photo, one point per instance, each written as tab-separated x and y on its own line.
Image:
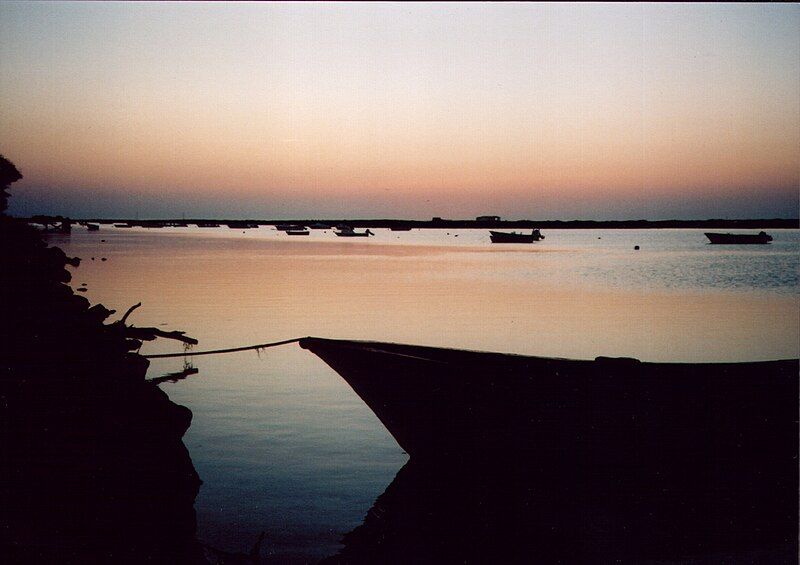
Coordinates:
435	223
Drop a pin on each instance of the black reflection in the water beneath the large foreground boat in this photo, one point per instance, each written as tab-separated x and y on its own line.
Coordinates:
520	511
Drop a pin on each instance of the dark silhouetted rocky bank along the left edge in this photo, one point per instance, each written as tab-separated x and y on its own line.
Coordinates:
94	469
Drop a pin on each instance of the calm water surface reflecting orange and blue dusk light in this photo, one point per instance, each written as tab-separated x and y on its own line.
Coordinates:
281	442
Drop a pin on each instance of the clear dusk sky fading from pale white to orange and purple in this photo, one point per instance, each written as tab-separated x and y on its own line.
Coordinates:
542	111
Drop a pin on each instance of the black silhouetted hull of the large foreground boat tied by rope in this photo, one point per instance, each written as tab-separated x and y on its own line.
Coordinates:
440	402
